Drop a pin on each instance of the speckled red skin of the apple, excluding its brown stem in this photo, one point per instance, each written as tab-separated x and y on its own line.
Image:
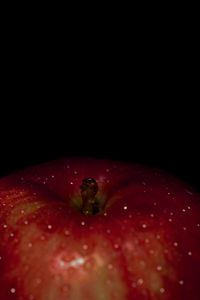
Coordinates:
145	245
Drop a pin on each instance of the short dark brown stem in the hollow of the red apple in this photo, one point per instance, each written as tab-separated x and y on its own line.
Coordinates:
89	189
